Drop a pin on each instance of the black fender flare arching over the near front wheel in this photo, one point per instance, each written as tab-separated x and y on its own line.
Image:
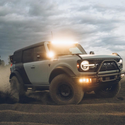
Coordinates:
60	70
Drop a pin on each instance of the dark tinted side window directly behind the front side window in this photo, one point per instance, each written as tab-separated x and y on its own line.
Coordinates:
28	55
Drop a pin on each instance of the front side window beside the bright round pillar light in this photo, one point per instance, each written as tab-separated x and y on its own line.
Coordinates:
39	53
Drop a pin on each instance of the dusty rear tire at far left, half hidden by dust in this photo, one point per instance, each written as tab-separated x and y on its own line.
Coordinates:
16	89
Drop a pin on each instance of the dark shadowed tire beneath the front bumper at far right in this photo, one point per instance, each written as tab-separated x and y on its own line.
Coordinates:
109	91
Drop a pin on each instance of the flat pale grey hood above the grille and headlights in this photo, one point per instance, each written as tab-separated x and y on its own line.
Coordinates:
99	56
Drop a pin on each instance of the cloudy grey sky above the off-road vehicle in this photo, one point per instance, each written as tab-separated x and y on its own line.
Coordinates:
98	25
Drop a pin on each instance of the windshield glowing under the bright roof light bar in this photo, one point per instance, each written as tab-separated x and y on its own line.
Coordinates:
66	50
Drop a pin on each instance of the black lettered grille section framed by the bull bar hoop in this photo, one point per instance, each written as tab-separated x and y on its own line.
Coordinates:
108	66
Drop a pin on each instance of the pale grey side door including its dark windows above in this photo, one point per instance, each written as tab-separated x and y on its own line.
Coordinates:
36	65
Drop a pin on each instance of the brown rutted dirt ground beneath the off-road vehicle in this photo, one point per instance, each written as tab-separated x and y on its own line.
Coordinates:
39	109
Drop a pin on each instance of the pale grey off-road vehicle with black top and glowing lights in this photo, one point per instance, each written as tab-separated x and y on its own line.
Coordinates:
66	70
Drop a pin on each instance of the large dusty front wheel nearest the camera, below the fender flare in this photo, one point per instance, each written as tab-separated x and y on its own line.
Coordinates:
64	91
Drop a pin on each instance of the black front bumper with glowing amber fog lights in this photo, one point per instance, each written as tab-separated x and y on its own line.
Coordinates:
90	82
